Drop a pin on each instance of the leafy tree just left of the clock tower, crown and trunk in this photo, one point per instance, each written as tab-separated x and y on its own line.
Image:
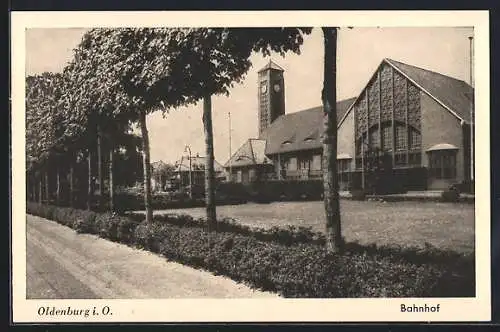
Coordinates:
214	60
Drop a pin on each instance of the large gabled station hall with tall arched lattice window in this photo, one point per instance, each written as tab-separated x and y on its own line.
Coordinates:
419	118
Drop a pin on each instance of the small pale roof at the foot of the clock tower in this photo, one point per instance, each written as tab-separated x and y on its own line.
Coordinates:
252	152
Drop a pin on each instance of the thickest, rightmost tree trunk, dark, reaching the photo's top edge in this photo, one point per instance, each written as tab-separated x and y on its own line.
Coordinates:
330	180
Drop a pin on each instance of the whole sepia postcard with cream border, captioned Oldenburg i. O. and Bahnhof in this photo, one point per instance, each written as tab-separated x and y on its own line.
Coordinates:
250	166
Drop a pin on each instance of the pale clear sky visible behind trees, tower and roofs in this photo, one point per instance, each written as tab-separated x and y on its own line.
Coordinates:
359	52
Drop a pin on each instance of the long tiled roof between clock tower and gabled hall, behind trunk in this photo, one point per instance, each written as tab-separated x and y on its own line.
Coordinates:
300	130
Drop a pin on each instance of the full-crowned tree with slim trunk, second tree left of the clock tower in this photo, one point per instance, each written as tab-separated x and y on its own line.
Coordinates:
131	74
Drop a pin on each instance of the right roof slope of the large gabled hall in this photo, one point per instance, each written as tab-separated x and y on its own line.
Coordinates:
455	95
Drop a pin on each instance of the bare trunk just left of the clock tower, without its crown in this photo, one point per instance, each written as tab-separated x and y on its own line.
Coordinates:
209	164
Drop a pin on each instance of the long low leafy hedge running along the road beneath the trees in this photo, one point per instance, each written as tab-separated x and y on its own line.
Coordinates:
299	270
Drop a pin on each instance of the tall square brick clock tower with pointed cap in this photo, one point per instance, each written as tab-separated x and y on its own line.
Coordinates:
271	94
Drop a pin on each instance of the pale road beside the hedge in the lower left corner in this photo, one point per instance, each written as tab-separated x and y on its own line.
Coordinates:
62	264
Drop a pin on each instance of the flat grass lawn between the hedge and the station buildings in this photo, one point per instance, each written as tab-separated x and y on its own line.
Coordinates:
443	225
